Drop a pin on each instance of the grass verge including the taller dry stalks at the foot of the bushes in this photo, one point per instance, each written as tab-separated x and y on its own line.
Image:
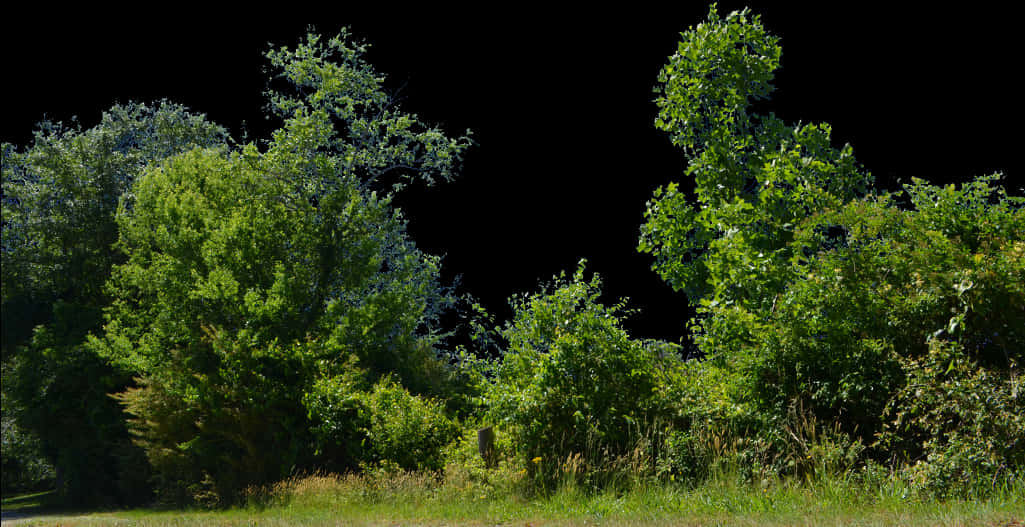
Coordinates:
616	491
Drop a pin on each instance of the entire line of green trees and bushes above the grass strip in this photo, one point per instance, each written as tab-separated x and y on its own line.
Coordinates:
186	317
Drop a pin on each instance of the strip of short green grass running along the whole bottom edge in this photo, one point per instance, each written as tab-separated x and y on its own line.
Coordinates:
419	500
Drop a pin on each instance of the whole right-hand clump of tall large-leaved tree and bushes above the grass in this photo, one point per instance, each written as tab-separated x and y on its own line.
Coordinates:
813	295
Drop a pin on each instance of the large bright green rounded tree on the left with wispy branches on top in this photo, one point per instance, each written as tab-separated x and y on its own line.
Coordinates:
259	285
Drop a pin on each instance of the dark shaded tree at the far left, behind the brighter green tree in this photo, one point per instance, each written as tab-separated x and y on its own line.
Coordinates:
60	199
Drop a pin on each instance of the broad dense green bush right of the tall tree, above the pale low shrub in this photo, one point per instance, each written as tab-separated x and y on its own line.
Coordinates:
838	336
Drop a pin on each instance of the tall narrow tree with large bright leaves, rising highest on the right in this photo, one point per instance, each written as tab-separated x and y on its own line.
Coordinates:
755	178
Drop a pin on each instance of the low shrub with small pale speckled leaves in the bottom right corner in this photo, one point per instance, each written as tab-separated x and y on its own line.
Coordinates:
961	426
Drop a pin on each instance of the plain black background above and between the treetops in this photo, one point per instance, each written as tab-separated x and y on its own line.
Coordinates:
561	107
